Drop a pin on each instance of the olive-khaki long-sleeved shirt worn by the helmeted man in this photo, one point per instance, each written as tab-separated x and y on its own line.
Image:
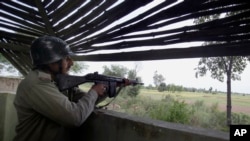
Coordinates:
44	113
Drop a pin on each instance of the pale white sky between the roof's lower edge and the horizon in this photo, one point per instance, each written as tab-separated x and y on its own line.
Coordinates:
178	72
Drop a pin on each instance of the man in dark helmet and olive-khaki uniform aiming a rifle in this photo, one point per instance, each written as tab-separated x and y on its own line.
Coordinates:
45	113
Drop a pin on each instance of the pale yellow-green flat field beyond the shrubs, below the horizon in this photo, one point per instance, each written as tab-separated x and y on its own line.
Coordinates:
240	103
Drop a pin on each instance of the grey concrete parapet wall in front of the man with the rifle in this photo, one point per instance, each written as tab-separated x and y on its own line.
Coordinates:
105	125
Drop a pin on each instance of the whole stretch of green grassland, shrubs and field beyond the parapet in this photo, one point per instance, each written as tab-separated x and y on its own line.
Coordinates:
195	109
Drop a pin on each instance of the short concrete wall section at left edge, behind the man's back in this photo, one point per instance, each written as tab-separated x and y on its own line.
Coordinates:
8	117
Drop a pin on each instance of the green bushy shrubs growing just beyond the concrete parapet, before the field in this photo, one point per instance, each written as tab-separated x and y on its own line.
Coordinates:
171	110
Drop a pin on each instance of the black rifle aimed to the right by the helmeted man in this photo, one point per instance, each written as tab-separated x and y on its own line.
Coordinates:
65	82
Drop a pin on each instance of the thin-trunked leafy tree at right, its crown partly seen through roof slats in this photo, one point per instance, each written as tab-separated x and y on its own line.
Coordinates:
220	67
